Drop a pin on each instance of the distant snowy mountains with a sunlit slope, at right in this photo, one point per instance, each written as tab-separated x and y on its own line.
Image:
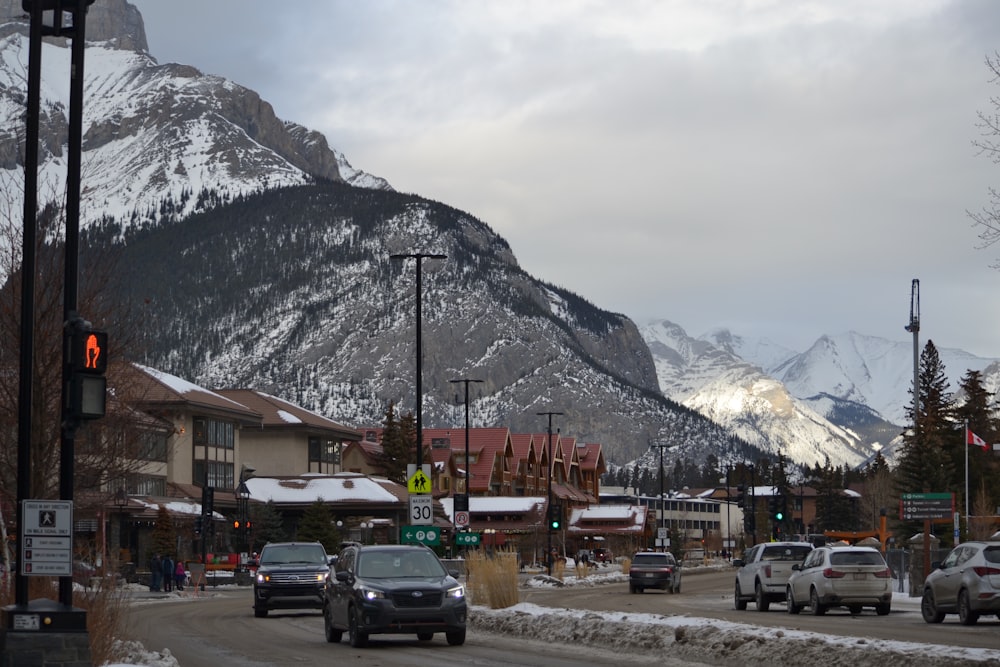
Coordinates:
844	398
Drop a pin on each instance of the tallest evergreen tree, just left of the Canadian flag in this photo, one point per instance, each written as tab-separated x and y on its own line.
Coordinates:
926	462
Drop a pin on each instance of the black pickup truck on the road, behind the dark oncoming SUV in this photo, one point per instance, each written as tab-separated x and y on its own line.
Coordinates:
290	575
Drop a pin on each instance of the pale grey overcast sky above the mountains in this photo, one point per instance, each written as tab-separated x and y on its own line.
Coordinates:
782	168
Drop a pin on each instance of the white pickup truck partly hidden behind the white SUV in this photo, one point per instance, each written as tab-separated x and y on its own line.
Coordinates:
763	572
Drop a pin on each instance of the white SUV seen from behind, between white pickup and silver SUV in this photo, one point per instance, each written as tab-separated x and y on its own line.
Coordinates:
852	577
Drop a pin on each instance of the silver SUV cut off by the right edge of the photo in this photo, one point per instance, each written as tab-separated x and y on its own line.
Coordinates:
966	582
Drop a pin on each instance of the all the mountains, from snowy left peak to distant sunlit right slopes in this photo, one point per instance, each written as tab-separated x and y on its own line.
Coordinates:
259	257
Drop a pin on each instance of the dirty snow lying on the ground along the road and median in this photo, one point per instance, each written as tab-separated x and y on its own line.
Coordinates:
701	640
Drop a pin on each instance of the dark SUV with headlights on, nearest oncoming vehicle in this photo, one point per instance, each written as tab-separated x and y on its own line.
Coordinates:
393	589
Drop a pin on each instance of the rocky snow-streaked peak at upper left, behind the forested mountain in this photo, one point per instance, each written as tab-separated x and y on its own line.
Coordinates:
160	142
